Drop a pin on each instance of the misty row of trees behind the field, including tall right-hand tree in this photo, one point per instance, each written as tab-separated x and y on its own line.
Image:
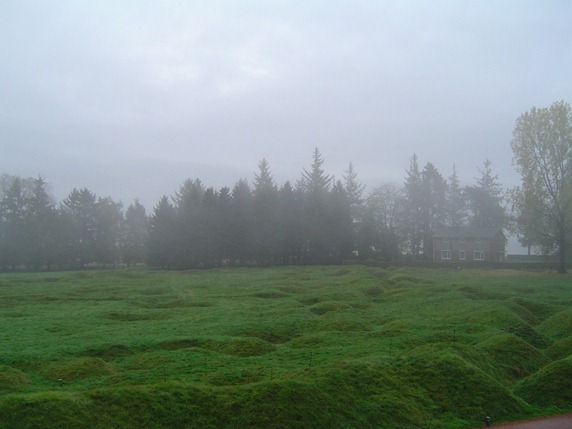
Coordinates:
316	220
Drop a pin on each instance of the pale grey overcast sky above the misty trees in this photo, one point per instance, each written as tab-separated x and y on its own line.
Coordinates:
130	98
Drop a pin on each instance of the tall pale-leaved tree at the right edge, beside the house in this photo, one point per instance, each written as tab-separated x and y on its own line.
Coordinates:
542	147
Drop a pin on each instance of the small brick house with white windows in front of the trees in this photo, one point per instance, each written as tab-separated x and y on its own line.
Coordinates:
469	244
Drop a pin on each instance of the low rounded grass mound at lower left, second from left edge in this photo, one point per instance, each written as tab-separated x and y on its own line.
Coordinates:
78	368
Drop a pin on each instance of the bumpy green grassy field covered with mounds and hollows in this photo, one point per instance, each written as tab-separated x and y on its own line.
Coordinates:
299	347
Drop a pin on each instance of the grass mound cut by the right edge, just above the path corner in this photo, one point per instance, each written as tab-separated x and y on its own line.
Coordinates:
550	386
